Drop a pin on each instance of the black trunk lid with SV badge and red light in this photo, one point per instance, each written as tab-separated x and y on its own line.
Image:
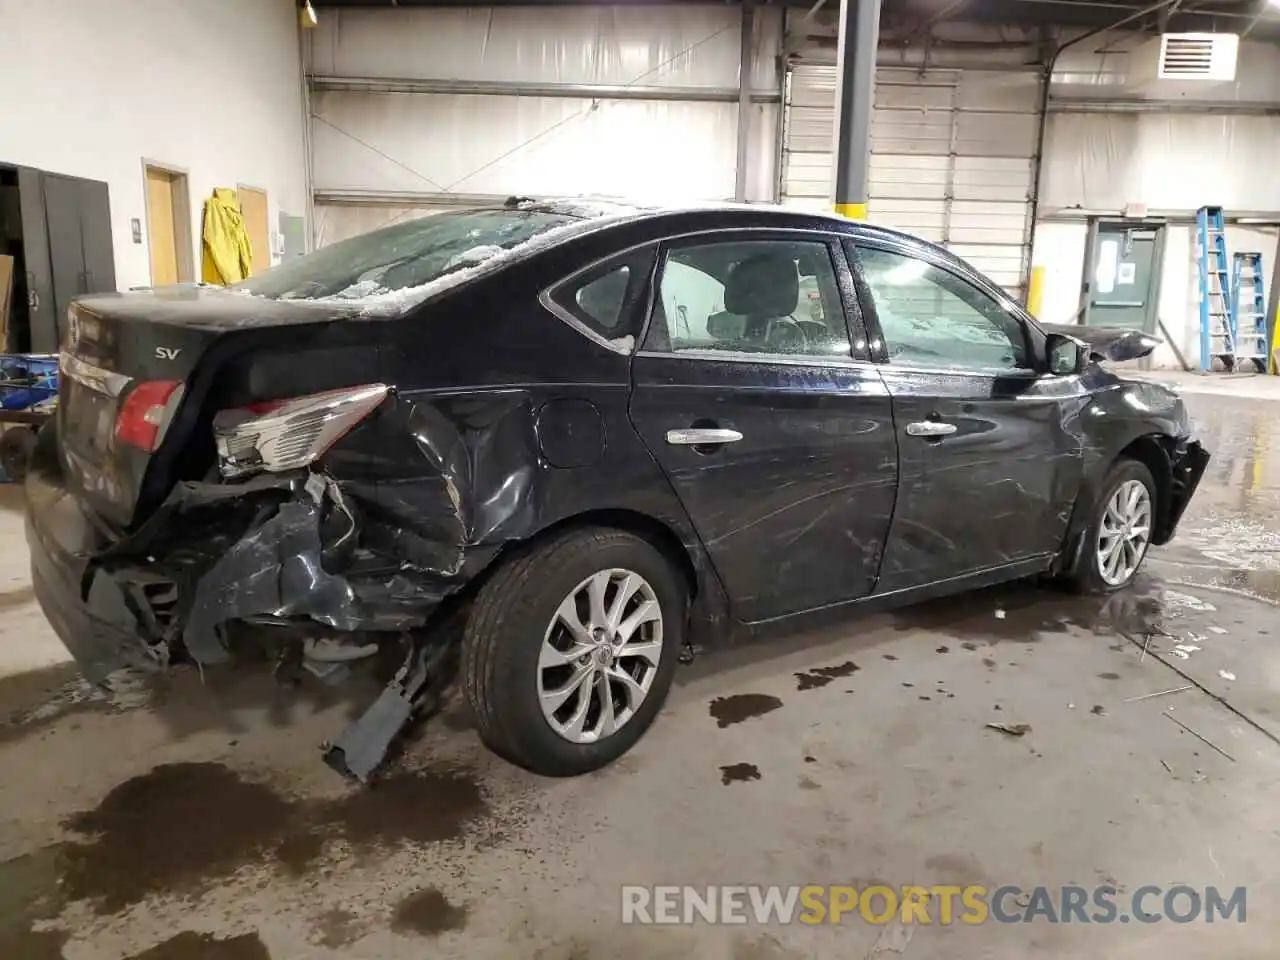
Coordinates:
152	346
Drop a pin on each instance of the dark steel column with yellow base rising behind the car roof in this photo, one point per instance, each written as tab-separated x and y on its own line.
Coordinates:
856	67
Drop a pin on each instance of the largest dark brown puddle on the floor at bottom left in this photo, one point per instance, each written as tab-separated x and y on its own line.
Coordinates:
182	829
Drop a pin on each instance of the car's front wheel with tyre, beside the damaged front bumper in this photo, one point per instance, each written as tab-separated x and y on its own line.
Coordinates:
1117	542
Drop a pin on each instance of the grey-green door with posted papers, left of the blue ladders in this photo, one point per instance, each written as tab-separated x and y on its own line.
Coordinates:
1123	277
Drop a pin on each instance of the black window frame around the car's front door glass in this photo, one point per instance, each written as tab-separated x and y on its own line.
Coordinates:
1032	336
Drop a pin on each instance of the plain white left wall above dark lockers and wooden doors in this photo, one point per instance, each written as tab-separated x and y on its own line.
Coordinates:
213	88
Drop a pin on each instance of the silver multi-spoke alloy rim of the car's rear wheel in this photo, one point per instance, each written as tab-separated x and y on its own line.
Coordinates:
600	656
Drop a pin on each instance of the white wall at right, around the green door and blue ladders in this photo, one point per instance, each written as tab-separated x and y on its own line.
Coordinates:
1114	140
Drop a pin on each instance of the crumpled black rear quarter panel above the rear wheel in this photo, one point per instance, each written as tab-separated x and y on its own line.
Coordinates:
484	445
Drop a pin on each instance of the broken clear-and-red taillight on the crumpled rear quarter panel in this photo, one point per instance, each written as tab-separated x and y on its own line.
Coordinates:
292	433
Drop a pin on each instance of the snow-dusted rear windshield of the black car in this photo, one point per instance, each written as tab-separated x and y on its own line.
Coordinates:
406	255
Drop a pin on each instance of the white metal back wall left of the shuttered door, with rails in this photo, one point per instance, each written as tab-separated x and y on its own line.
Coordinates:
417	109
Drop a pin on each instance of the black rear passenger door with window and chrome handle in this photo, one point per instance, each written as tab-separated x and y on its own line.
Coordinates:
778	442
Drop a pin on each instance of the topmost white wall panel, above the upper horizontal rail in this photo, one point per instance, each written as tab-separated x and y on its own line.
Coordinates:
680	47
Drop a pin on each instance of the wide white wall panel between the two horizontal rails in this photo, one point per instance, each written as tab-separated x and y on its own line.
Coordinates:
428	143
